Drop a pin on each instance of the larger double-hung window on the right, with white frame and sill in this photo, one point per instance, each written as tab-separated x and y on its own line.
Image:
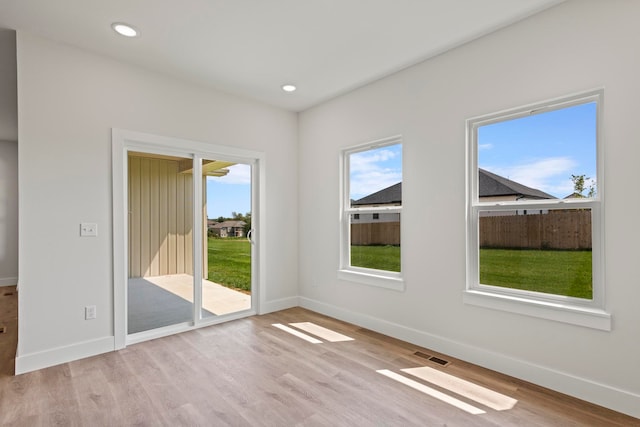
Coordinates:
534	211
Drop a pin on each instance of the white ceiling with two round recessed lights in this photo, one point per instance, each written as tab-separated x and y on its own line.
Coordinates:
252	47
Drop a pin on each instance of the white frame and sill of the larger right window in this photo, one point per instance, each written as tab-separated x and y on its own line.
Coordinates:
584	312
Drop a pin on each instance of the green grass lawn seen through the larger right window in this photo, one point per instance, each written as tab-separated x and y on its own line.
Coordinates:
565	273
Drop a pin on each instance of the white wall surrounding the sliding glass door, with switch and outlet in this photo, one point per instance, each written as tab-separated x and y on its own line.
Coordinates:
69	100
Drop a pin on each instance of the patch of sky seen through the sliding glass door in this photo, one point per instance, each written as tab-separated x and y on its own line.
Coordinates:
229	193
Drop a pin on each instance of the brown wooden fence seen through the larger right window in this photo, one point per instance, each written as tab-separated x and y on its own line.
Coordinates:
566	229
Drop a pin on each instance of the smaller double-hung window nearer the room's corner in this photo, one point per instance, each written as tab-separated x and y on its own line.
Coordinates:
371	212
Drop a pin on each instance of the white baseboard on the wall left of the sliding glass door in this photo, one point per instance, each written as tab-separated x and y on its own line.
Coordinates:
34	361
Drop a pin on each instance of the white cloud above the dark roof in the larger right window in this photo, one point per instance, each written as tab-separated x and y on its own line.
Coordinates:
551	175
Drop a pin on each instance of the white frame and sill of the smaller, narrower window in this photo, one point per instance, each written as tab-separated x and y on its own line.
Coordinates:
368	276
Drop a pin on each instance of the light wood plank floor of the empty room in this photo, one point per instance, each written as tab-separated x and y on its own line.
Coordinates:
250	373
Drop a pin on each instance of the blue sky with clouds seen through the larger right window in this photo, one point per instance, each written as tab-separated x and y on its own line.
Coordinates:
542	151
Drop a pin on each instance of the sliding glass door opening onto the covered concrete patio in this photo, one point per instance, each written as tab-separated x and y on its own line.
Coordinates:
189	240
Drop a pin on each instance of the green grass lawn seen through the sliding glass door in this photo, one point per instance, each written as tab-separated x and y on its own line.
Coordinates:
230	262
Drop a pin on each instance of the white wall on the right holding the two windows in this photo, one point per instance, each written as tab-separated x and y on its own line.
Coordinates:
576	46
